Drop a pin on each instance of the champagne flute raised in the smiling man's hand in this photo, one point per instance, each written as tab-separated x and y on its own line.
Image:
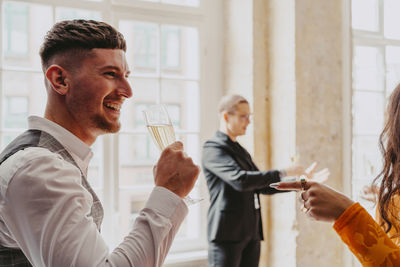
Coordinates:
162	132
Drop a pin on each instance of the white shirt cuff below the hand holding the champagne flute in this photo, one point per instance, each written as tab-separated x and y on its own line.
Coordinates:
166	203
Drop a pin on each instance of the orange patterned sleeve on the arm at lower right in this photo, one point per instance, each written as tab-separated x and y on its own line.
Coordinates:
366	239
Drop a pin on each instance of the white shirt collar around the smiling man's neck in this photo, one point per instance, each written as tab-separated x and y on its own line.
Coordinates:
78	149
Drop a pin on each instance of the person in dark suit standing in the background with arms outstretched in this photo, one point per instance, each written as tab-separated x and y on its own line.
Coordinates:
234	183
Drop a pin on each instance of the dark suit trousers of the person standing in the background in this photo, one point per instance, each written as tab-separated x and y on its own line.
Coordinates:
244	253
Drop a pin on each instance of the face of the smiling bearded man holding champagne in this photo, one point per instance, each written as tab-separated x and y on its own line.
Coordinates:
97	91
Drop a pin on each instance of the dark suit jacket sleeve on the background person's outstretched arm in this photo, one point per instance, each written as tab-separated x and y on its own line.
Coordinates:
221	164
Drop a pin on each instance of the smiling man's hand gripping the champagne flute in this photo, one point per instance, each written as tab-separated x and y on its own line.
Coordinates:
175	170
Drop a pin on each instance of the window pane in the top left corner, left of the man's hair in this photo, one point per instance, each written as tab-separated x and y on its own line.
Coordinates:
24	26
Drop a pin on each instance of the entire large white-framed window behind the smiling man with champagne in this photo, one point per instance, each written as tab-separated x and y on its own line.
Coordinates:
165	39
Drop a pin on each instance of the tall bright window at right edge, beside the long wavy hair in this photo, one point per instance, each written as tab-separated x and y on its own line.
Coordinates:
376	72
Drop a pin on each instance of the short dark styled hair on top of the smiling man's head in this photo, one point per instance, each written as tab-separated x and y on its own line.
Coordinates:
77	38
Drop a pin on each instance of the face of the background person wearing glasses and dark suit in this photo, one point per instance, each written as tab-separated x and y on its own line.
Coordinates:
239	120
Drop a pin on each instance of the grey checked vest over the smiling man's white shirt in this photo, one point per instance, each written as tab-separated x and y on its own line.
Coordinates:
37	138
